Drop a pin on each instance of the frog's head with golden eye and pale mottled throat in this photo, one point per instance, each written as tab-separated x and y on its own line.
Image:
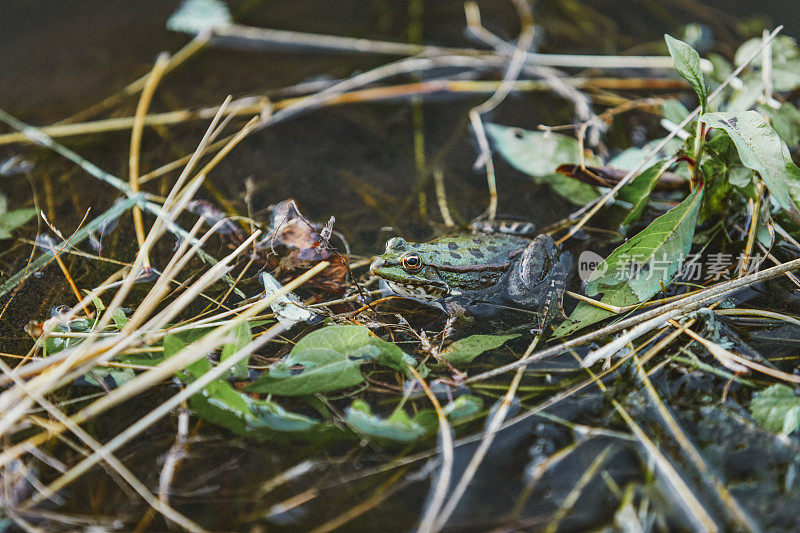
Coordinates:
403	266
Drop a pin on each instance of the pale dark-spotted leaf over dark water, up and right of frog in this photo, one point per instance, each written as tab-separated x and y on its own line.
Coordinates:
538	154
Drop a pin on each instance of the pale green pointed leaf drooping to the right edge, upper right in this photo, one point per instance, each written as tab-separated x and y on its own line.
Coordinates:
761	149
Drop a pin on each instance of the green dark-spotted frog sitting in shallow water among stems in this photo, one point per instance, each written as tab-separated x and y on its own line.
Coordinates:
478	274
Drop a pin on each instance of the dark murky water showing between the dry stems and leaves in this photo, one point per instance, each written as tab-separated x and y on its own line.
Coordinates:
354	162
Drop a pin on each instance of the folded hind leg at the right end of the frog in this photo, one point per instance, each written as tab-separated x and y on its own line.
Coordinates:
538	279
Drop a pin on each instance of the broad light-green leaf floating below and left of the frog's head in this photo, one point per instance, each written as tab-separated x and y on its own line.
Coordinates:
329	359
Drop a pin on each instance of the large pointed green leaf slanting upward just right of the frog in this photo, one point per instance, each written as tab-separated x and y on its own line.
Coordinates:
634	272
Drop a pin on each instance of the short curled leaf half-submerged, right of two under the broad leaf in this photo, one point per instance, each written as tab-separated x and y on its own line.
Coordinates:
398	427
